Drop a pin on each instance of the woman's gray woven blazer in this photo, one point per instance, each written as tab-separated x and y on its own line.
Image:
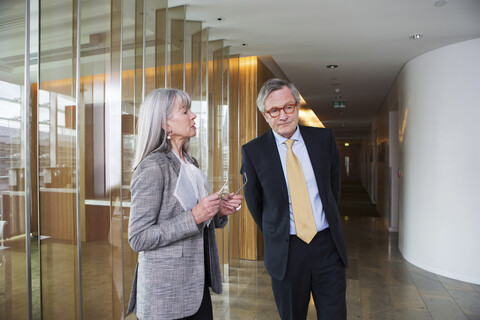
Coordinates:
170	274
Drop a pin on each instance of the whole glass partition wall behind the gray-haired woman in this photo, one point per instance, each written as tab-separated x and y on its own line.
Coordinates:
127	48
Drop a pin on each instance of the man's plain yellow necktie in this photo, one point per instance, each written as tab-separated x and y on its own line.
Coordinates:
302	209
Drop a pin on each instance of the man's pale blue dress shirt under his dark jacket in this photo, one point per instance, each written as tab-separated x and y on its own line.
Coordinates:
301	152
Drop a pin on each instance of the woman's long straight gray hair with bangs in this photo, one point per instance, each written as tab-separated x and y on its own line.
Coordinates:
154	112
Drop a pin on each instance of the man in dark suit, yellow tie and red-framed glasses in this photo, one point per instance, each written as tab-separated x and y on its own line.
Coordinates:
297	211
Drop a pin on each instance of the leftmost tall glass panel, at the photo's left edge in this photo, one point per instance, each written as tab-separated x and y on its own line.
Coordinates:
14	101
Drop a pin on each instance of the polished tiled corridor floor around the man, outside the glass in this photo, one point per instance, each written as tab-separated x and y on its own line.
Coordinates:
380	284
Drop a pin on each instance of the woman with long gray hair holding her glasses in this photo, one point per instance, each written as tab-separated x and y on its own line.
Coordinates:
172	216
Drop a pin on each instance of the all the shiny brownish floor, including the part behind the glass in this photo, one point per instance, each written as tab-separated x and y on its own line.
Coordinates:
380	283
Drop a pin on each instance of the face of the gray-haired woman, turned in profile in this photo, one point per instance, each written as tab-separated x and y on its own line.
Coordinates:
181	123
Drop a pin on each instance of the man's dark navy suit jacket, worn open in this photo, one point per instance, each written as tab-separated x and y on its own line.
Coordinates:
267	196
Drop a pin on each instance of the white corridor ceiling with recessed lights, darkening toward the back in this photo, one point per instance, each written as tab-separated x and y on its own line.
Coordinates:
368	40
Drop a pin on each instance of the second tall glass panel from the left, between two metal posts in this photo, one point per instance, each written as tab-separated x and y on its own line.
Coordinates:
56	171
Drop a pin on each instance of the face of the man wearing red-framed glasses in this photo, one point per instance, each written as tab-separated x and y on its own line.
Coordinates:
285	124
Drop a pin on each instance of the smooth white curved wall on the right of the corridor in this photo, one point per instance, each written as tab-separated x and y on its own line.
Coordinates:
439	136
